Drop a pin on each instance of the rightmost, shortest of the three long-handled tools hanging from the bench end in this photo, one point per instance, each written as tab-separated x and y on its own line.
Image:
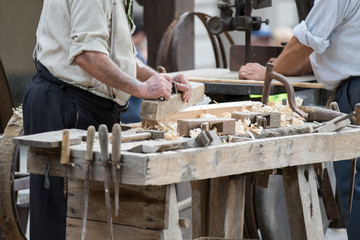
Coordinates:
115	160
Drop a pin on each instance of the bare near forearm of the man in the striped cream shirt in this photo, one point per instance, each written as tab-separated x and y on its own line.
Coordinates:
101	67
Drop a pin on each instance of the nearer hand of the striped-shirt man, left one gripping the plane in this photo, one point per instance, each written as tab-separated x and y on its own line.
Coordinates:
157	86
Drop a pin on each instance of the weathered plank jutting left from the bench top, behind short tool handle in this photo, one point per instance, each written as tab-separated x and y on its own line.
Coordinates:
50	139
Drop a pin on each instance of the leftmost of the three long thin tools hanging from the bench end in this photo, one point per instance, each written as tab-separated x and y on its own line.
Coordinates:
88	158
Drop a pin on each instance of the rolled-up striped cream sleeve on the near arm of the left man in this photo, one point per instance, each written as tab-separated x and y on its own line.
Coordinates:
90	21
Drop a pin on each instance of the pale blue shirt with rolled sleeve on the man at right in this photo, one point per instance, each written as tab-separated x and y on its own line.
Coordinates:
332	30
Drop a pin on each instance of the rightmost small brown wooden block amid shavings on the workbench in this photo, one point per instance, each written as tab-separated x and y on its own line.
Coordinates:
272	118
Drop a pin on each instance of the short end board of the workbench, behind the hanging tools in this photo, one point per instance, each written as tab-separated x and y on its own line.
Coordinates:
132	172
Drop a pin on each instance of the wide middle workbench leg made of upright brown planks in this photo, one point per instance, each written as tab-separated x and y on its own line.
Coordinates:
218	207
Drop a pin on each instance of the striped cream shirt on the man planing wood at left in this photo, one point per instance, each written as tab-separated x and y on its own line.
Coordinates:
69	27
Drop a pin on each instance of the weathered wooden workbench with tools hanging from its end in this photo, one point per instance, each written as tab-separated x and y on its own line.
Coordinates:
217	204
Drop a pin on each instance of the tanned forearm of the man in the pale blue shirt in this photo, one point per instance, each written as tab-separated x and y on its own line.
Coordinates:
294	60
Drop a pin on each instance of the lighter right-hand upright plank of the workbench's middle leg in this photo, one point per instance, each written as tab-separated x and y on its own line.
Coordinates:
235	208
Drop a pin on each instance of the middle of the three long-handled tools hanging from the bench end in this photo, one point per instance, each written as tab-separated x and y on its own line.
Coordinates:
104	158
